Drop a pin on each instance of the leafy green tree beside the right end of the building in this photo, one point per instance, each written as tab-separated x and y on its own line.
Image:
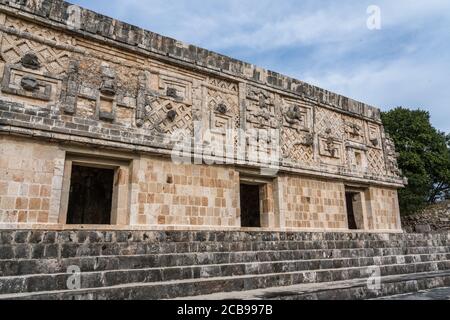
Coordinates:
424	157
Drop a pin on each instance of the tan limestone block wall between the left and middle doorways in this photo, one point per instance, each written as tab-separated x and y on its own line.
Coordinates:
166	194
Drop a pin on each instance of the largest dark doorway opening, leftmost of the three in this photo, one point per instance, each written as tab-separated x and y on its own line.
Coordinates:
90	197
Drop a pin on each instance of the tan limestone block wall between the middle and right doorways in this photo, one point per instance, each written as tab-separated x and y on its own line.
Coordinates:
312	204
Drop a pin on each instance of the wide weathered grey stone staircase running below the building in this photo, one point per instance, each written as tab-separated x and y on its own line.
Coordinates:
218	265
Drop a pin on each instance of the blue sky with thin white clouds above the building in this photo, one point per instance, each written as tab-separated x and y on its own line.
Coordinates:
327	43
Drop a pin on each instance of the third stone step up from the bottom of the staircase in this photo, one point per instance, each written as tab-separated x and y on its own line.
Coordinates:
328	269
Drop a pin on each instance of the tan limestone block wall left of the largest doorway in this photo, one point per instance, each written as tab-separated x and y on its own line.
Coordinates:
30	181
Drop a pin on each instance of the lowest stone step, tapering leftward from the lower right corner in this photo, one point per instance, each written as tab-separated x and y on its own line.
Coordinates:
355	289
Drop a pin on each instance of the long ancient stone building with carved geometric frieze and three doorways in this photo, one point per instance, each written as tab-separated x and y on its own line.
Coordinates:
105	124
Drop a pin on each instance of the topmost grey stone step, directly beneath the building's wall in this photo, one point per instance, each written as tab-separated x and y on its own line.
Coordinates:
93	236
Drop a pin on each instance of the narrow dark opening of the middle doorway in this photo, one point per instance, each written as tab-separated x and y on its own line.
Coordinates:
250	206
